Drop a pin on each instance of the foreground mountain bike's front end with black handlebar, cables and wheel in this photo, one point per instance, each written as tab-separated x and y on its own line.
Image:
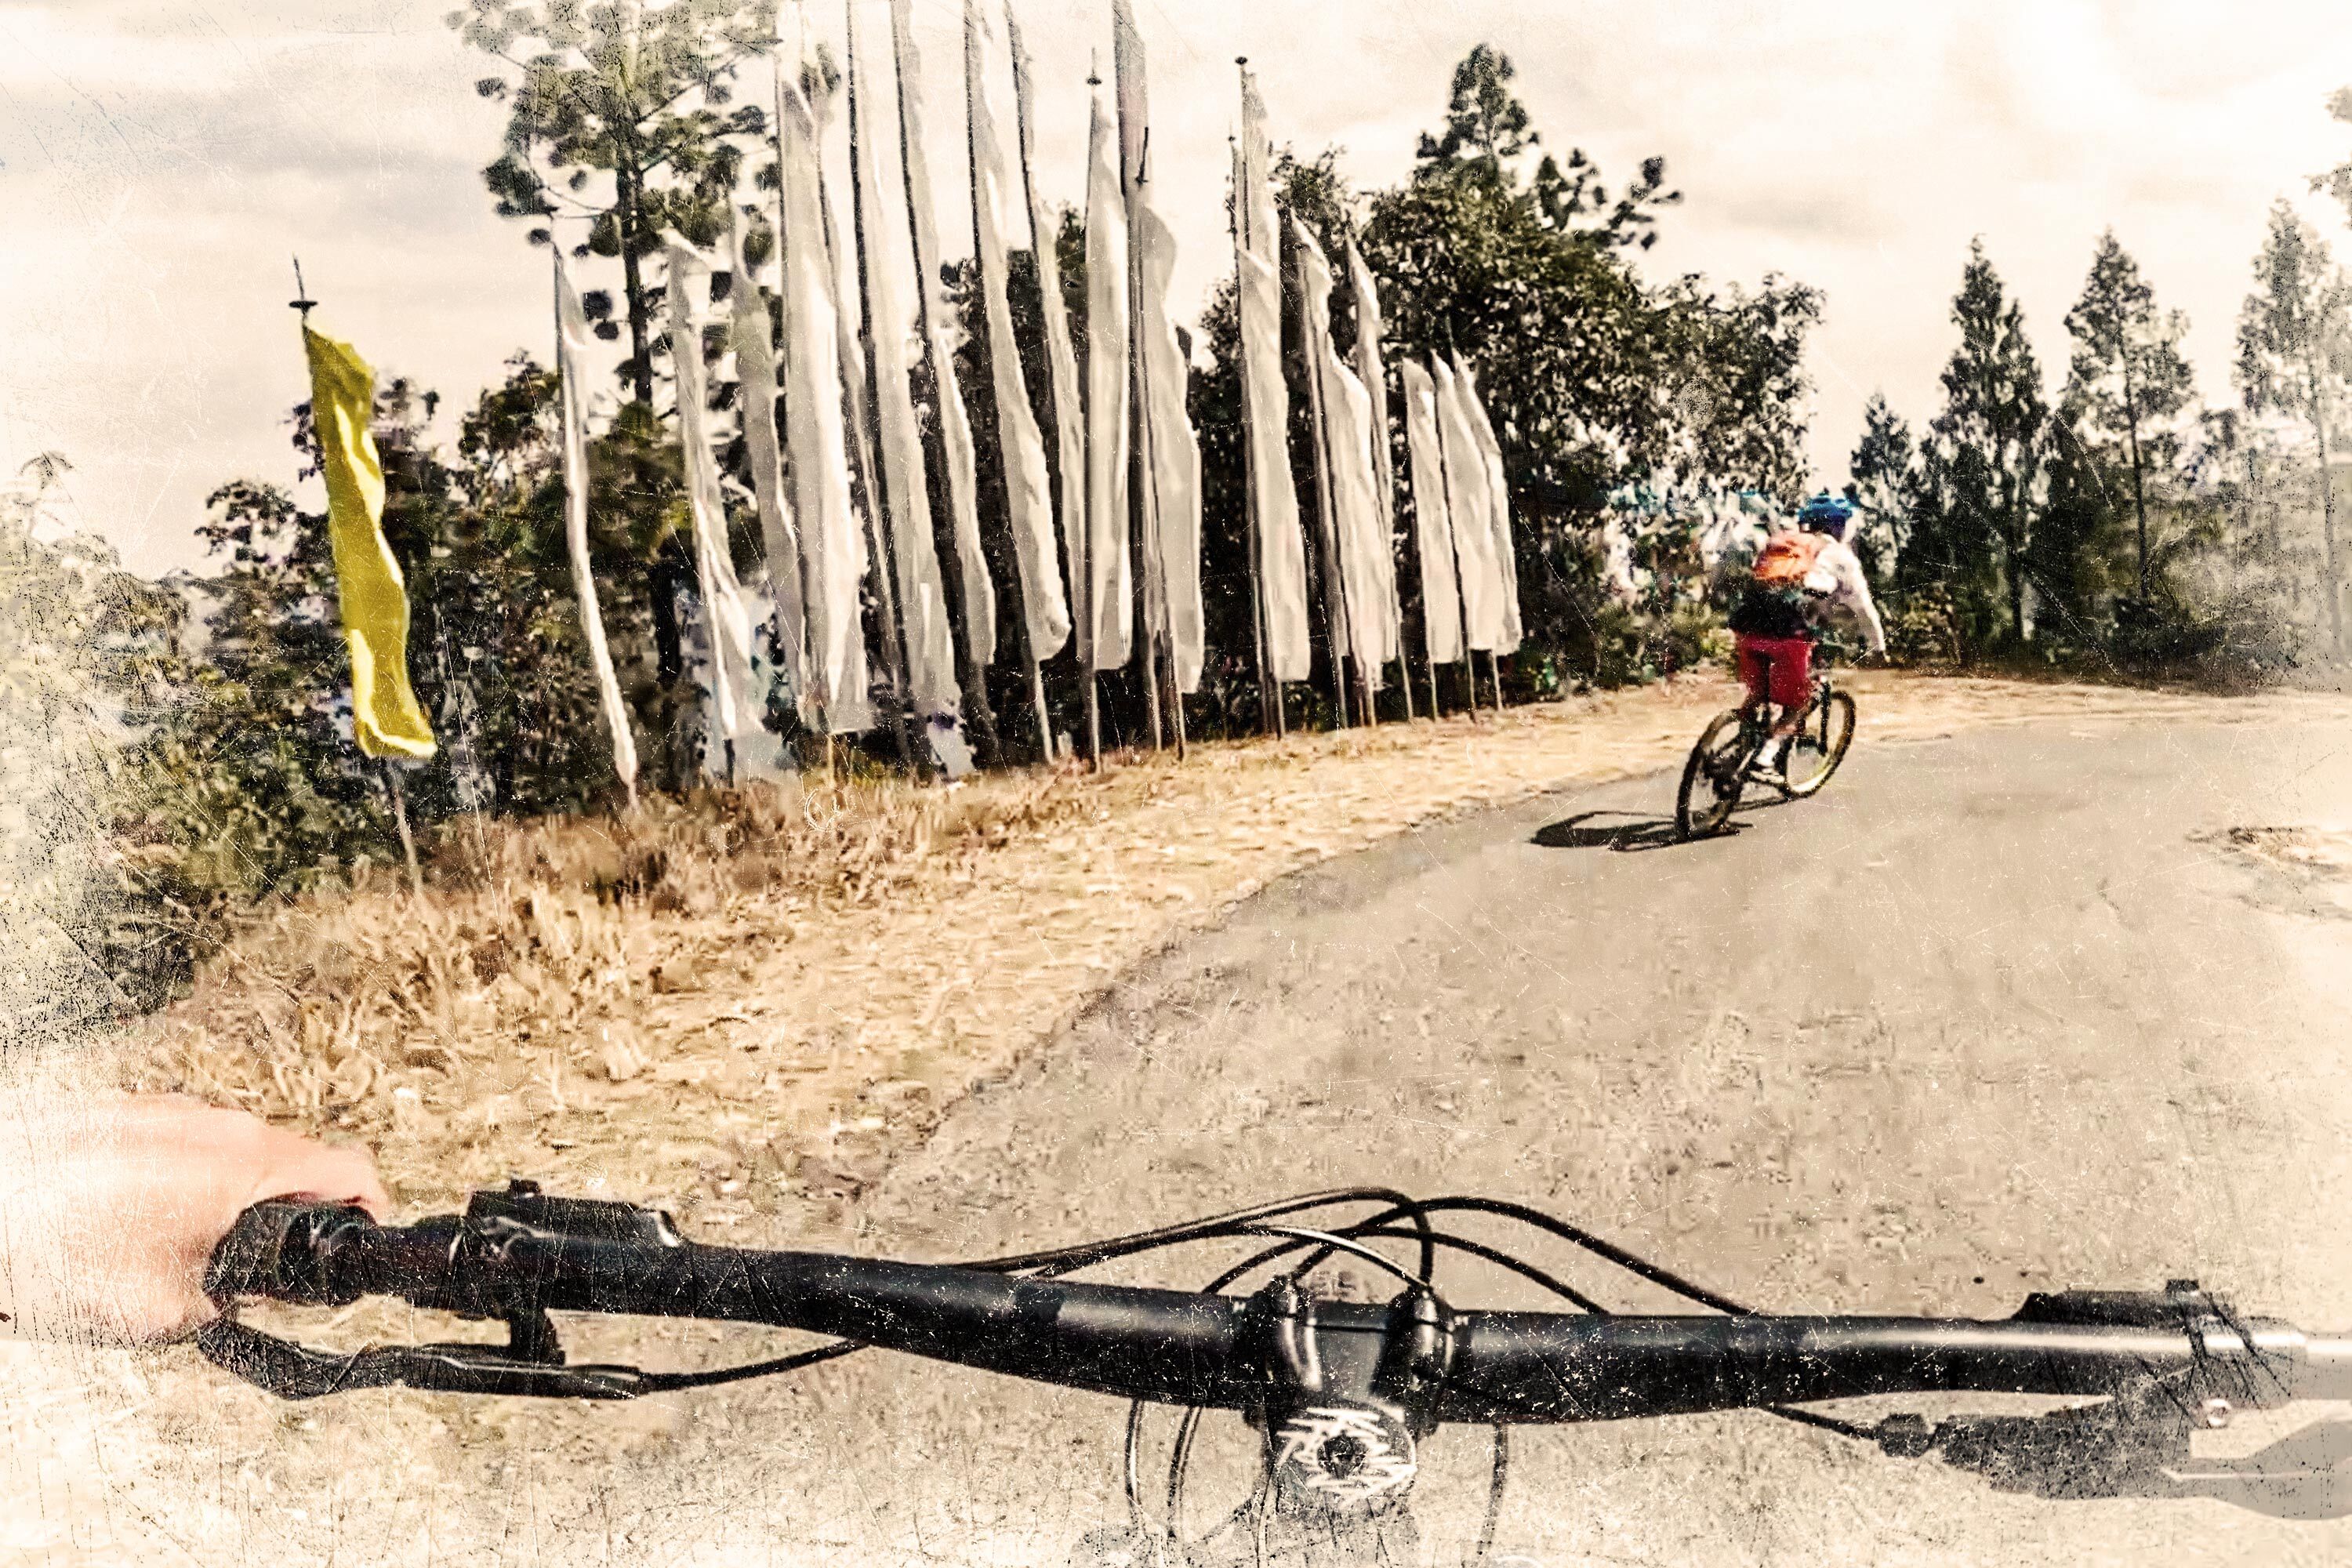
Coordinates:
1342	1393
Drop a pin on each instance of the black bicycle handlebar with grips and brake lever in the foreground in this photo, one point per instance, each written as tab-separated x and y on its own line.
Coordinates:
519	1257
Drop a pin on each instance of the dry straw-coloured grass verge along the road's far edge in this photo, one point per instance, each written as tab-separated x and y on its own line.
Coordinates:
747	1003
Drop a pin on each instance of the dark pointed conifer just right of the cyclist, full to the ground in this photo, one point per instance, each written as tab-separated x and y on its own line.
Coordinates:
1984	462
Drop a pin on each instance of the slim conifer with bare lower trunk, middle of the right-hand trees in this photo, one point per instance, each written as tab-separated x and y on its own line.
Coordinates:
2127	375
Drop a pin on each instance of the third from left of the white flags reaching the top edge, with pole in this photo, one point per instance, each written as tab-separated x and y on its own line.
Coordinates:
1029	488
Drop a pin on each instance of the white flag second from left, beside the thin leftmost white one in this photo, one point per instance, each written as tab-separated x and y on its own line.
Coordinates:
728	624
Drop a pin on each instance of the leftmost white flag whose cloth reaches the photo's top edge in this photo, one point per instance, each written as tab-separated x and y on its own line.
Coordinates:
907	500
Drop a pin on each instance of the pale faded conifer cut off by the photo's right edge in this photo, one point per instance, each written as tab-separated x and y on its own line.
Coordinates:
2294	356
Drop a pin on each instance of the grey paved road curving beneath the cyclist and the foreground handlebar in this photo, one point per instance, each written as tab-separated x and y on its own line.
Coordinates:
1982	1019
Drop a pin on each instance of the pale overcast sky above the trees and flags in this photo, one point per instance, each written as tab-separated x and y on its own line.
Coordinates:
161	161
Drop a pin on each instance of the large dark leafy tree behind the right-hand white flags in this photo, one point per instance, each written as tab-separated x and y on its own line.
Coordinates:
1591	375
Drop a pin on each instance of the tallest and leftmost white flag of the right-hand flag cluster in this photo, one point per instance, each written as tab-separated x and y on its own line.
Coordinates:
1283	565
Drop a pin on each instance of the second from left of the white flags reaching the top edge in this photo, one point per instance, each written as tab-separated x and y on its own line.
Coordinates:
980	596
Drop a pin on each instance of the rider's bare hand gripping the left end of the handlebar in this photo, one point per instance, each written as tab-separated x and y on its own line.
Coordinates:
112	1207
